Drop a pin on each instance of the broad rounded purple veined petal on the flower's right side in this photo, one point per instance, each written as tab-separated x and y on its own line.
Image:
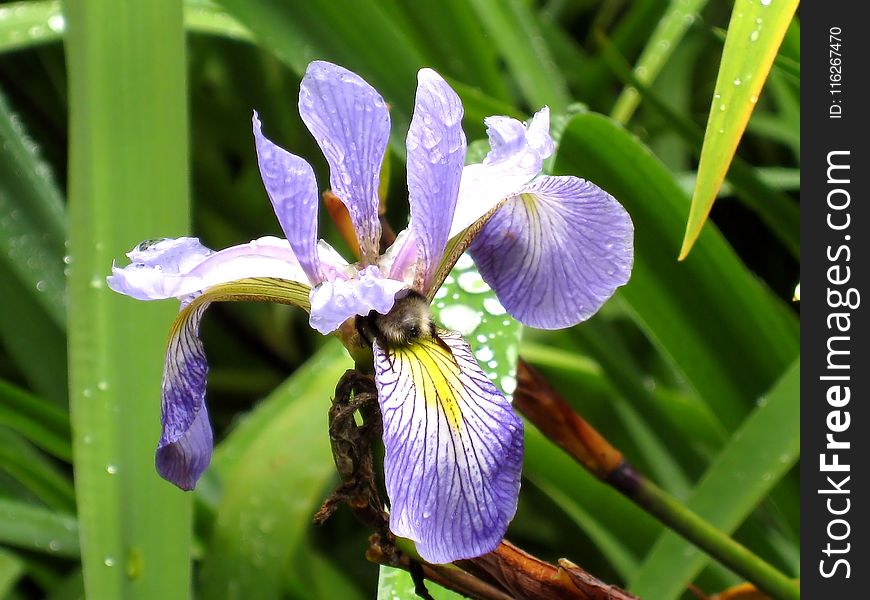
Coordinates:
555	252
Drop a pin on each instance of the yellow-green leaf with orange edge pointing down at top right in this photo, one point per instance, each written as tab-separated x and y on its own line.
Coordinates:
754	36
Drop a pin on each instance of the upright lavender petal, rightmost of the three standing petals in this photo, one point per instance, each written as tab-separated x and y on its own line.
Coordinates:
436	154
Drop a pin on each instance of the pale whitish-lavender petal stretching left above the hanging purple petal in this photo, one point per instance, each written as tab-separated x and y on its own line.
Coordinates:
175	268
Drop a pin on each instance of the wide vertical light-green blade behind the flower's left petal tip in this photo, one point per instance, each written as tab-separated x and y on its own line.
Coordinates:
128	182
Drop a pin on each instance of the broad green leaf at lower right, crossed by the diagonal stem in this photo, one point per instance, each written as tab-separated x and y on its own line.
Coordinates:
765	447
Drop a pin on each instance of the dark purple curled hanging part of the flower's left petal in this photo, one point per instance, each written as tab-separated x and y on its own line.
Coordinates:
185	445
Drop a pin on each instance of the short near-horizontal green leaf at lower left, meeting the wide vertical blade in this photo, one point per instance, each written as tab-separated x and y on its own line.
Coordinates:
38	529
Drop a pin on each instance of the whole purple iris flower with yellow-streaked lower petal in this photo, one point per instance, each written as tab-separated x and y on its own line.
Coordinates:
552	248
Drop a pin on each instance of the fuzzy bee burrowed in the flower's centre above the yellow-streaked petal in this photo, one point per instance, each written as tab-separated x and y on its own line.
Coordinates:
409	320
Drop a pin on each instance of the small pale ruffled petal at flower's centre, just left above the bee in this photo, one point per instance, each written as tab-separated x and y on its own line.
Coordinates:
333	302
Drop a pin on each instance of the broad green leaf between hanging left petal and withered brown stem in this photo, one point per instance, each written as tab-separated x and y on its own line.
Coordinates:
273	470
